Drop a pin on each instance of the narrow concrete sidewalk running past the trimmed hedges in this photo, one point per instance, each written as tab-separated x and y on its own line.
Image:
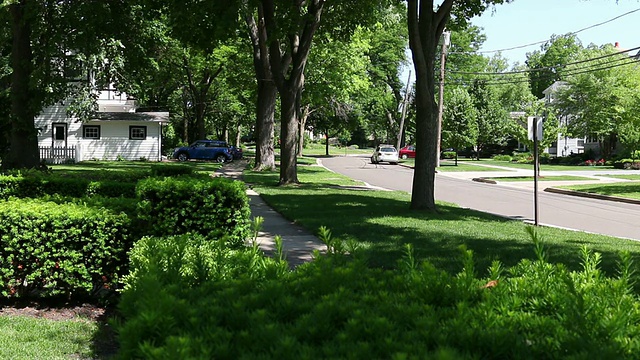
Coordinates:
298	243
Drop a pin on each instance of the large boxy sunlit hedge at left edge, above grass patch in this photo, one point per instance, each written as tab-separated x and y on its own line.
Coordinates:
60	249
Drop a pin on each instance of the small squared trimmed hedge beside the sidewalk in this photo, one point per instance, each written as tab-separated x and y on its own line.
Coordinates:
215	208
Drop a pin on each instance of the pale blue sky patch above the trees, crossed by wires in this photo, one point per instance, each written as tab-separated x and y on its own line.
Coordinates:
527	21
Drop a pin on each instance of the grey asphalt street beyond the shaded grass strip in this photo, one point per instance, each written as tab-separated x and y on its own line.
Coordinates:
513	200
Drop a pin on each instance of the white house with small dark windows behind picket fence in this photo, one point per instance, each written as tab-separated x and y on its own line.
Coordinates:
117	131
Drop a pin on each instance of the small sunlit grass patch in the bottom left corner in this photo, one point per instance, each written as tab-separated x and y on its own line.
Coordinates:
23	337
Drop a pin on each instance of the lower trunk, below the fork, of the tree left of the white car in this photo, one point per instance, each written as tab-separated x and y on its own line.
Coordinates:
288	135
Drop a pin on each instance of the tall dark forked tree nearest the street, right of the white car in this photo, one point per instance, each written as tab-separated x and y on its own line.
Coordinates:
426	21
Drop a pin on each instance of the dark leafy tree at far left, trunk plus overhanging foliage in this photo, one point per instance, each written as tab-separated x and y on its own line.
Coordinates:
52	42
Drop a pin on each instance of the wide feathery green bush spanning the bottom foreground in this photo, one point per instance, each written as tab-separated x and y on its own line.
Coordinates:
187	298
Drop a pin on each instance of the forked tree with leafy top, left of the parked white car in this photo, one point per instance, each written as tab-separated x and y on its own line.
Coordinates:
285	30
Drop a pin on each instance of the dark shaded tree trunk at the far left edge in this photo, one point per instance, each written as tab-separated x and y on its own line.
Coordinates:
23	149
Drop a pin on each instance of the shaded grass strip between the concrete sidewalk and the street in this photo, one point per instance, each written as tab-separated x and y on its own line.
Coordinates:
381	223
